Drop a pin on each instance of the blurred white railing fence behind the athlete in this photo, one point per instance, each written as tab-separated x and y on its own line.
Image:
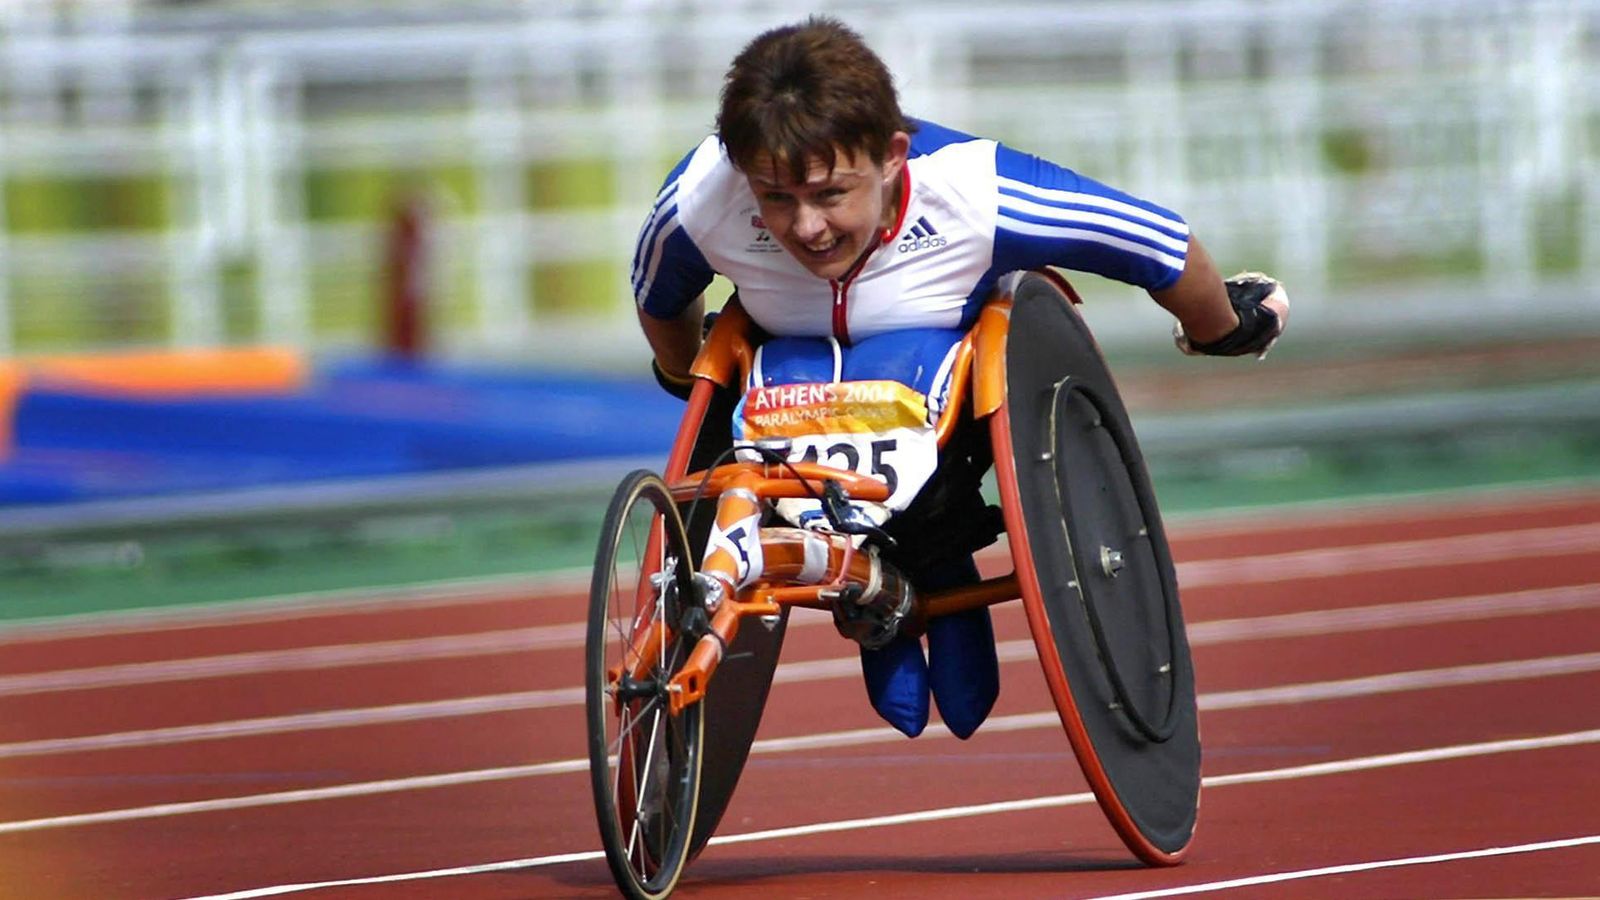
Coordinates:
1423	164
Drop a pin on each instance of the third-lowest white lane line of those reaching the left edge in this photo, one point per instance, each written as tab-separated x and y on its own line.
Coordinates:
572	635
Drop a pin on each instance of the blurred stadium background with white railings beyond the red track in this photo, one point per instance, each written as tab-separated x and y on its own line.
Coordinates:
190	175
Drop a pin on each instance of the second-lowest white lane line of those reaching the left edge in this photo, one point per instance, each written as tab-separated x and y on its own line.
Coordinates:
1218	632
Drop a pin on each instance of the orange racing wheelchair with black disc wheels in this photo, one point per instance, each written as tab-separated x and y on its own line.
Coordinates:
695	577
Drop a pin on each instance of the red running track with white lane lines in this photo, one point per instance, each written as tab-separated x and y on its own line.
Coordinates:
1396	702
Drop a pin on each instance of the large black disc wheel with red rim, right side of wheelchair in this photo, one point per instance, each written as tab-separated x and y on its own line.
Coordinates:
1105	574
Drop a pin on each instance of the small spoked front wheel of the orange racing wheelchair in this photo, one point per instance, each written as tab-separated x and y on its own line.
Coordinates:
644	761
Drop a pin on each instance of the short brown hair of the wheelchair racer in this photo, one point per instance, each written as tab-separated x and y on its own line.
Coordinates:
804	92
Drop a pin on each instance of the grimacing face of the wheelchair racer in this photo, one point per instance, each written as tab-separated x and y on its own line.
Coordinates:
833	217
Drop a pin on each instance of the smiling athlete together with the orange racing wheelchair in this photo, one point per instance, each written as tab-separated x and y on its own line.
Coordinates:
834	214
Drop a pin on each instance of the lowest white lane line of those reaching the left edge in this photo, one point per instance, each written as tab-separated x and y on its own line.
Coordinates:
1394	683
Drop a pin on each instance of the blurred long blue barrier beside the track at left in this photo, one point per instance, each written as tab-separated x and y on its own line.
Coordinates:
358	419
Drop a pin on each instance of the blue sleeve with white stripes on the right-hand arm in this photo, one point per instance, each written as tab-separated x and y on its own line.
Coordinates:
1055	217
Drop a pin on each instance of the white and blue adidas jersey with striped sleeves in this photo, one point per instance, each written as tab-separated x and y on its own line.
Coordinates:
974	211
